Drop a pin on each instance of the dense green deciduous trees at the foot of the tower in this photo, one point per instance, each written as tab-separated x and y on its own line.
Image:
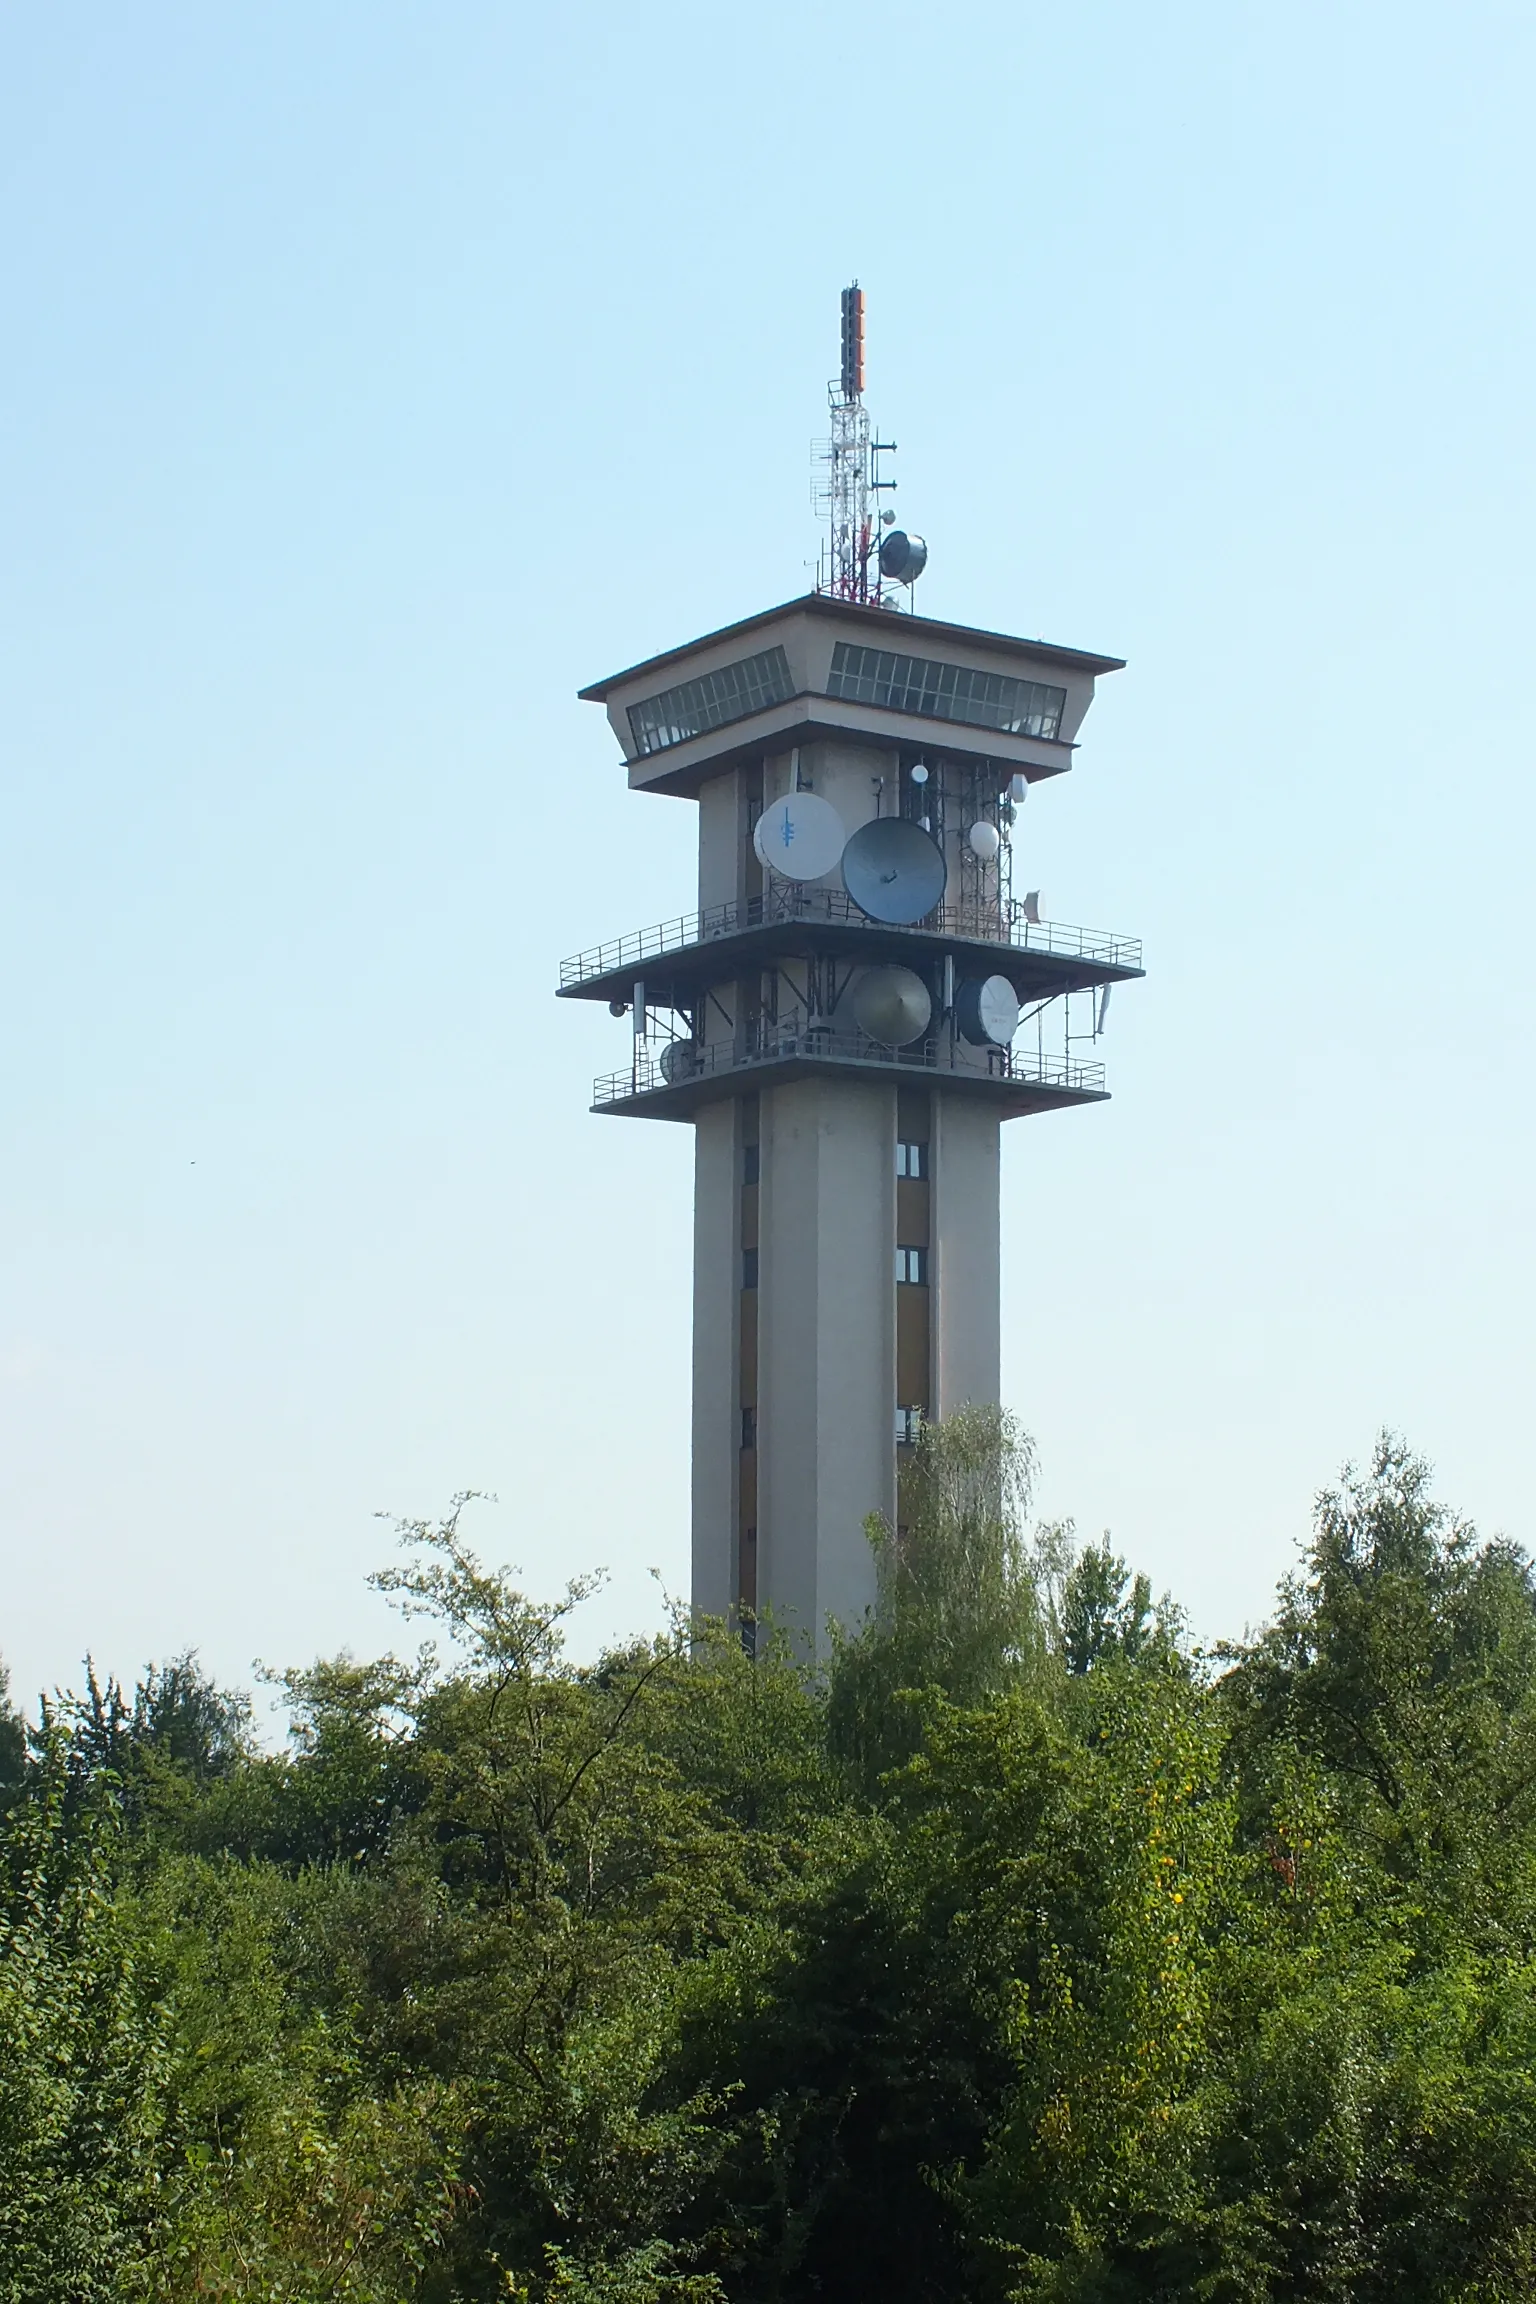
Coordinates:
1014	1953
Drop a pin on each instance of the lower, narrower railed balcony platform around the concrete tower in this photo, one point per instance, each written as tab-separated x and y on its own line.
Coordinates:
680	1077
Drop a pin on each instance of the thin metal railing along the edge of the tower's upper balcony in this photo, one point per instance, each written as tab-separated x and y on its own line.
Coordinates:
789	902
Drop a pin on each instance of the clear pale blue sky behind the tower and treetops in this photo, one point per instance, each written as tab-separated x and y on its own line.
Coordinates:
379	374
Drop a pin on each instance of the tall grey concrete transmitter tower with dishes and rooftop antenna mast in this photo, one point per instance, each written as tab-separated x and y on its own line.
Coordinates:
856	1008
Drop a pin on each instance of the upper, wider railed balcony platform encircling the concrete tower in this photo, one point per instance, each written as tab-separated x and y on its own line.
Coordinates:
680	957
